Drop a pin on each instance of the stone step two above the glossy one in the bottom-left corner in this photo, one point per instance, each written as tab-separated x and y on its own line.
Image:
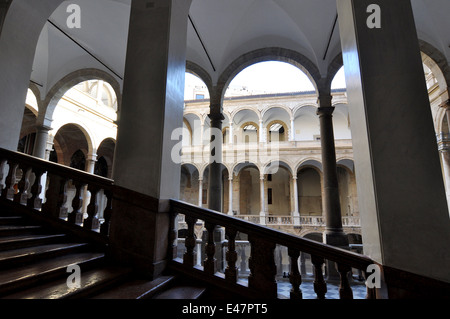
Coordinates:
21	256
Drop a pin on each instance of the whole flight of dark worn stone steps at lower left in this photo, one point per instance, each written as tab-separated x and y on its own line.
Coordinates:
34	263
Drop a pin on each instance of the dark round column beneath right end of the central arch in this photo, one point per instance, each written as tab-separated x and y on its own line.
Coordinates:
334	234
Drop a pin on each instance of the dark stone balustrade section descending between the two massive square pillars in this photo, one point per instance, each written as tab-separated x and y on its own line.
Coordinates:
261	262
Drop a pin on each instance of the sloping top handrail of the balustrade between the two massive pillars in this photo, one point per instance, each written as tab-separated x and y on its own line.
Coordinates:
303	244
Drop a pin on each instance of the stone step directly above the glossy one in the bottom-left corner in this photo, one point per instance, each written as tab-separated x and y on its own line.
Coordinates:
42	271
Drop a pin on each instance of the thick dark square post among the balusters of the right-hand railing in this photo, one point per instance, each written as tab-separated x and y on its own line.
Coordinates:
262	267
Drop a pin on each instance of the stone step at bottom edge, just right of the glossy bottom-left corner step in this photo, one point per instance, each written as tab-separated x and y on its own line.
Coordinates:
137	289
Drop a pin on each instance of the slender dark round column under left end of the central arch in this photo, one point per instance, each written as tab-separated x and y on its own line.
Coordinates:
215	167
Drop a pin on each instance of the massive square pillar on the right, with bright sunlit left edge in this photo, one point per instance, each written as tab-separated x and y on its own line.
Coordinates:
401	194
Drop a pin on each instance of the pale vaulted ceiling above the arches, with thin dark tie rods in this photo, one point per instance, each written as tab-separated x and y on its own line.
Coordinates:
219	31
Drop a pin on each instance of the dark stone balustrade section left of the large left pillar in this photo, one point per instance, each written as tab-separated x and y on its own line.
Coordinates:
56	192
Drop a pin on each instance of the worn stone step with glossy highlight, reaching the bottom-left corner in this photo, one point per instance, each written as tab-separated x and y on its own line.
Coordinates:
91	283
